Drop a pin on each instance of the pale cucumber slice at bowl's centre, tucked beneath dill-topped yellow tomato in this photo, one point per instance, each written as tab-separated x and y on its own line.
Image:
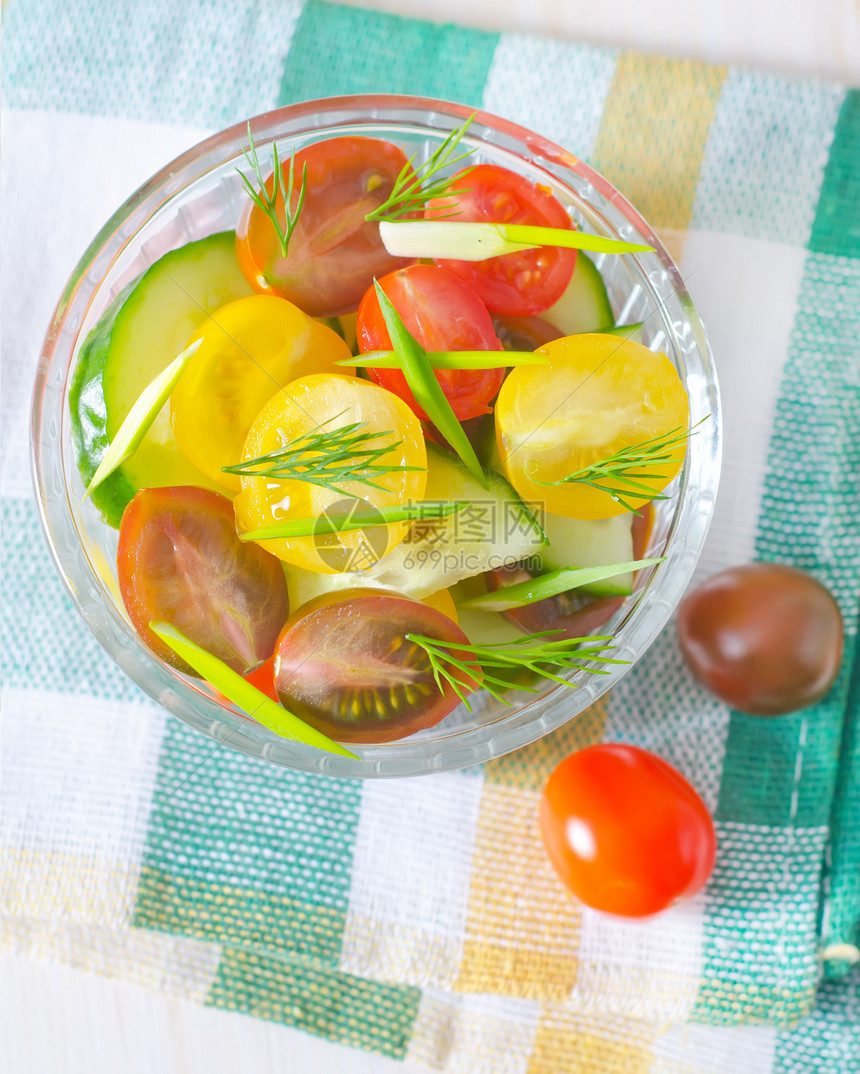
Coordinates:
495	529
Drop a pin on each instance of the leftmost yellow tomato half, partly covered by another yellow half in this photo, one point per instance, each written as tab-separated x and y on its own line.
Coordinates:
250	350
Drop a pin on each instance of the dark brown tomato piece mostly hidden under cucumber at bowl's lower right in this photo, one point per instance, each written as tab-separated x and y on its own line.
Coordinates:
575	613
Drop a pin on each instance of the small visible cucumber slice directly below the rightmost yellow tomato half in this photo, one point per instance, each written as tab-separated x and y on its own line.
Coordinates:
581	543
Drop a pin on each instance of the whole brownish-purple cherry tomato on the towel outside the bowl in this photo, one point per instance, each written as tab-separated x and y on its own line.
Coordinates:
766	638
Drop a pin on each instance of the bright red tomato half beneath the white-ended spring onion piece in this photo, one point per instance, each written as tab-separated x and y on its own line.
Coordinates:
526	283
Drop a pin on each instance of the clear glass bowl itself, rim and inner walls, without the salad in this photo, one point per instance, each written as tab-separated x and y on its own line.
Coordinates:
200	194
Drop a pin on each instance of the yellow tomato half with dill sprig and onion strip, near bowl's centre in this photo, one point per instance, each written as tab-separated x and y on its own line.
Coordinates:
326	403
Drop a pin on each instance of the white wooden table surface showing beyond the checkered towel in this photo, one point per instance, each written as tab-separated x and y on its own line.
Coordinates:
55	1021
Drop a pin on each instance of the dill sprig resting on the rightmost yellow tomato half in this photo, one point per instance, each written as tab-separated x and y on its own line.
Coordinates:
621	475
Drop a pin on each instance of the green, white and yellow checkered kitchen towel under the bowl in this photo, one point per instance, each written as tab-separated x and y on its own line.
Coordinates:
420	919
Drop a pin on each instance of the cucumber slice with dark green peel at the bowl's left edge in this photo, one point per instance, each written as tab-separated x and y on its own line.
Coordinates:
139	337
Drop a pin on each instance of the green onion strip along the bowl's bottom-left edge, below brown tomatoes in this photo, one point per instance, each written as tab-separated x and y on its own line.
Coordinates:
244	694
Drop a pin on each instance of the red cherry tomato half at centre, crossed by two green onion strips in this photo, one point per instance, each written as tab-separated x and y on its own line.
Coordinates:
443	314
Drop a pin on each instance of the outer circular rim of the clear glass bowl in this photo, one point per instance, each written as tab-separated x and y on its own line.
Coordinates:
652	608
